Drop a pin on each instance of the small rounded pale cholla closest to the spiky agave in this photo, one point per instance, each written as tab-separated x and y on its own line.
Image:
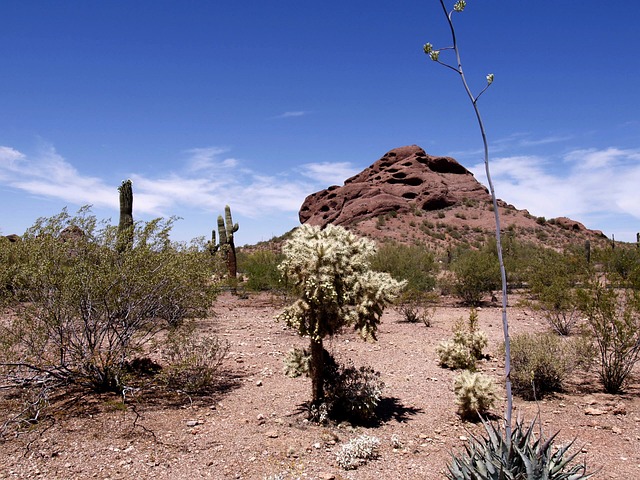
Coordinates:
475	394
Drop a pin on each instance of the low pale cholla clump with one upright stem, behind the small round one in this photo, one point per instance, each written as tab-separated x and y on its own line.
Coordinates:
466	346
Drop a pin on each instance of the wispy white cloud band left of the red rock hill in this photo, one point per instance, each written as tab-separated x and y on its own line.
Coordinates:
208	181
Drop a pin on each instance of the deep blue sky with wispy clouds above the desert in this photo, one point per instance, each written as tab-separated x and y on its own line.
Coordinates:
257	104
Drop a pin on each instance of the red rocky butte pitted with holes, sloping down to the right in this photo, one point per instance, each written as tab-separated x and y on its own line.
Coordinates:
412	197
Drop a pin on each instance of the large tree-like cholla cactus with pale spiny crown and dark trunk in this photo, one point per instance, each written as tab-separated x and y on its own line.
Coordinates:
329	269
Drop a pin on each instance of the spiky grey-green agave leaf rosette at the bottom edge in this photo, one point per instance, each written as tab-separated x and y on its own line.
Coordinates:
521	457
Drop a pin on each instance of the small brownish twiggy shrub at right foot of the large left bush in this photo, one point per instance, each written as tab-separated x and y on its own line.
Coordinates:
193	361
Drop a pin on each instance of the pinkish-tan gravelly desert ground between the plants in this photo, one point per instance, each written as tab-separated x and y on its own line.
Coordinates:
252	429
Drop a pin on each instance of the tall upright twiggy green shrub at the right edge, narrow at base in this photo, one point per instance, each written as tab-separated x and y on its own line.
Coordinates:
613	316
